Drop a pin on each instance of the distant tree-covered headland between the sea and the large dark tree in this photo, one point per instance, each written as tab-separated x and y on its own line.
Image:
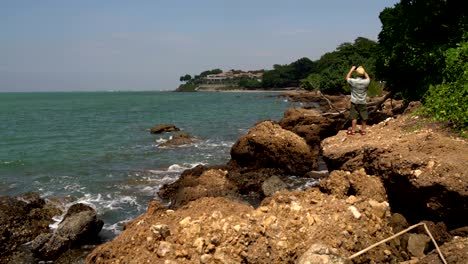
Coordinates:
326	74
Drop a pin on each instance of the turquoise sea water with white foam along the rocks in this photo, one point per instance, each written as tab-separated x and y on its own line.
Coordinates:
96	148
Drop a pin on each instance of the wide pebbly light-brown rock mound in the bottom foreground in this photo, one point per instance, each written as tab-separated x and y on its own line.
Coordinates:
219	230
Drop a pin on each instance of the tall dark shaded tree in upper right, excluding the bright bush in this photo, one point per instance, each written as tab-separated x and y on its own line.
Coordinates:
412	42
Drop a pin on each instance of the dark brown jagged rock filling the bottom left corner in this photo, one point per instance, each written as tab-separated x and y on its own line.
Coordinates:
22	218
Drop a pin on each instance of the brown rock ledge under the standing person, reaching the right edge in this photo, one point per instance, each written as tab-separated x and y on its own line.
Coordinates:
423	169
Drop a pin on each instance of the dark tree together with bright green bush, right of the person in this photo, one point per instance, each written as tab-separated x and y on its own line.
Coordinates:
423	56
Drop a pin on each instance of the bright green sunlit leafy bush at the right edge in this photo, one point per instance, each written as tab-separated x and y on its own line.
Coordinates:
449	101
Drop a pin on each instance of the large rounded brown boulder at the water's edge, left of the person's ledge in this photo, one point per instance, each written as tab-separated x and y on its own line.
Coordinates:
267	145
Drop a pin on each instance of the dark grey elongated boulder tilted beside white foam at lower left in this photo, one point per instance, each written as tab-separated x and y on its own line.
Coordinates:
79	226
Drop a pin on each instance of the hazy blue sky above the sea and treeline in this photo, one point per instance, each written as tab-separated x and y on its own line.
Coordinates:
89	45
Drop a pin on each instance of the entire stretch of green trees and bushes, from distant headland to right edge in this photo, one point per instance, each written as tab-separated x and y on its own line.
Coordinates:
421	54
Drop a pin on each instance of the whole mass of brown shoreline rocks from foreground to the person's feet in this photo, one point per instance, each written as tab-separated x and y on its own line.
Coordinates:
403	172
